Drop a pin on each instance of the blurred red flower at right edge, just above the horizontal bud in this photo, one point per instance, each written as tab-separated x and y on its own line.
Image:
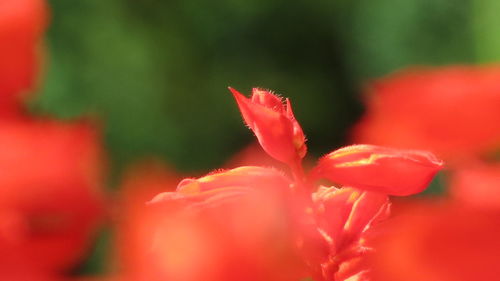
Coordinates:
453	111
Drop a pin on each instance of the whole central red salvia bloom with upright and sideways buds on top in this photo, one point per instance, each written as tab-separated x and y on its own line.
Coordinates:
260	223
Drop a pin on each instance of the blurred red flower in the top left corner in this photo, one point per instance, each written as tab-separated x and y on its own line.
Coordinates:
22	23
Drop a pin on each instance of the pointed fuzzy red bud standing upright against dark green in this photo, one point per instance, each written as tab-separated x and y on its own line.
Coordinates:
274	124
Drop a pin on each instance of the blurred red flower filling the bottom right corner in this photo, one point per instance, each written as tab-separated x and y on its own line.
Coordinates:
439	242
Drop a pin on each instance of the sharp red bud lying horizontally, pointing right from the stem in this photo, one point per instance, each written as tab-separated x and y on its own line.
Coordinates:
380	169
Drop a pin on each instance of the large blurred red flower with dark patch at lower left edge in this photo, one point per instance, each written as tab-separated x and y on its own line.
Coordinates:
50	194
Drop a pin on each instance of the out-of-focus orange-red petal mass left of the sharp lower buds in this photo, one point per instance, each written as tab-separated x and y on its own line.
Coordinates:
229	225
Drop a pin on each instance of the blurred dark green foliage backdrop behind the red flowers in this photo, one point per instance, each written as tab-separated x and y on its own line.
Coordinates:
155	72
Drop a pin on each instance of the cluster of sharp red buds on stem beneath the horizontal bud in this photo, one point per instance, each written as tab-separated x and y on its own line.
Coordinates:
344	218
